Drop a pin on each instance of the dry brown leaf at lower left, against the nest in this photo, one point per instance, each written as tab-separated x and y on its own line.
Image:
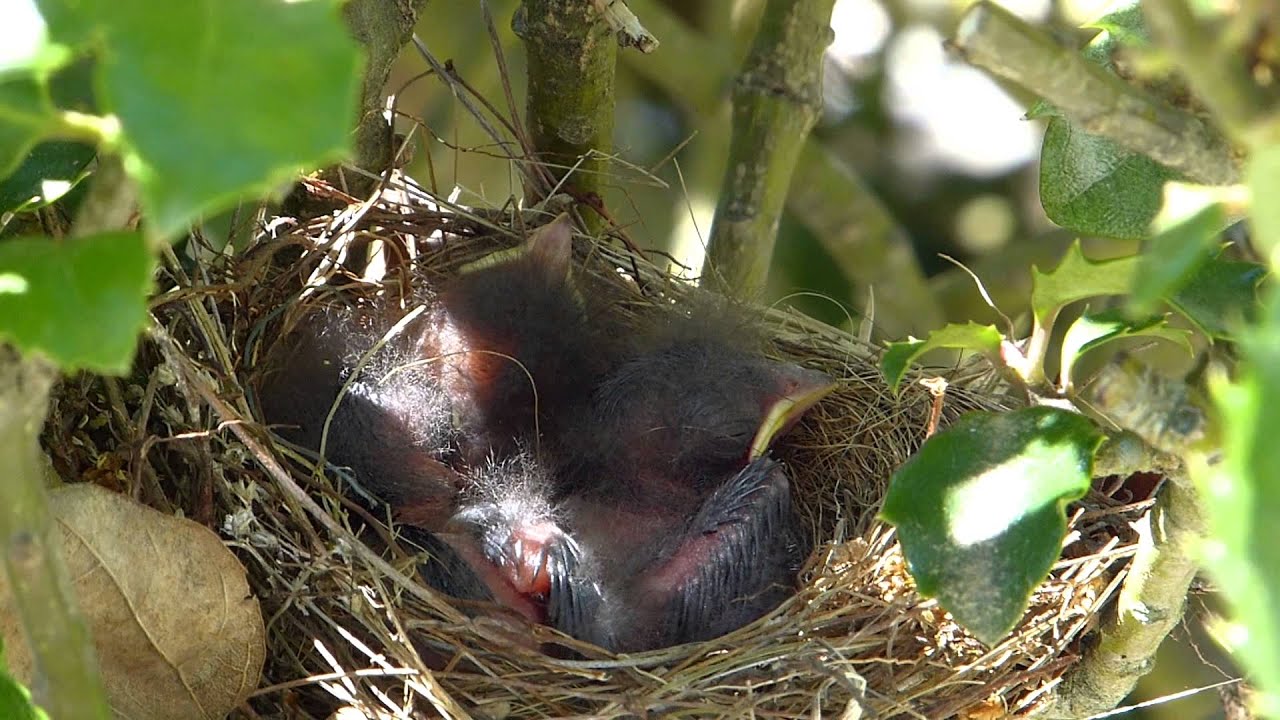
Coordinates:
179	634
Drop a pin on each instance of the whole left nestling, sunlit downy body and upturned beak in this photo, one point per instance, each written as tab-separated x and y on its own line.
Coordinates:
491	361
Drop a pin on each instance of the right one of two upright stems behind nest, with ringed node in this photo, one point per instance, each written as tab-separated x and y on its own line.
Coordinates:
778	99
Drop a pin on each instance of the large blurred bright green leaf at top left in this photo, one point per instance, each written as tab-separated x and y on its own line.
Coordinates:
218	98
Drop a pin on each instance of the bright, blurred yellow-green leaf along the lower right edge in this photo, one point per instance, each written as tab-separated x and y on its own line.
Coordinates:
1242	502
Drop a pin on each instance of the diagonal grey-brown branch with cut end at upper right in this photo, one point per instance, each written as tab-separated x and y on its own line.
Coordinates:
994	39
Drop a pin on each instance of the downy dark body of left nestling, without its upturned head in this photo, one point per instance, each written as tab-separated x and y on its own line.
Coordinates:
392	429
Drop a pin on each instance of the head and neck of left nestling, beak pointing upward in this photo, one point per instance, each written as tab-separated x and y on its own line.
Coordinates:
510	332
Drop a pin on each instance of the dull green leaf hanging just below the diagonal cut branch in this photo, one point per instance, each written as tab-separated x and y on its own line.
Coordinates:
1092	186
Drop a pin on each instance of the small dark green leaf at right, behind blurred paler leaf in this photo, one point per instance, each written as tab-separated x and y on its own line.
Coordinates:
1220	295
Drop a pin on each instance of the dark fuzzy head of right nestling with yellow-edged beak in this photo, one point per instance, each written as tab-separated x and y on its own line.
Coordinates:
688	411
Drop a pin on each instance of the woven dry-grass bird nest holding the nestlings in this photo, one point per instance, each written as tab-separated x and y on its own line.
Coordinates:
349	623
